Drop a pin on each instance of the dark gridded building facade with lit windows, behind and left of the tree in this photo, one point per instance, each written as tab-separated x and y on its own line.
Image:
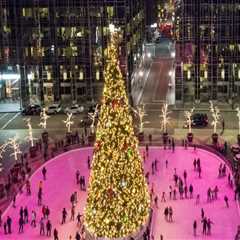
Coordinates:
57	48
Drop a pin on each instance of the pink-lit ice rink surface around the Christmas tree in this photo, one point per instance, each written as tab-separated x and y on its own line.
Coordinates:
60	184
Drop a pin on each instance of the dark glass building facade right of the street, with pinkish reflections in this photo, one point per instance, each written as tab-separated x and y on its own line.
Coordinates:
207	36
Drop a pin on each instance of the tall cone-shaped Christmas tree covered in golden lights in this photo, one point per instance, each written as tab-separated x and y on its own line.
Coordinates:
118	200
